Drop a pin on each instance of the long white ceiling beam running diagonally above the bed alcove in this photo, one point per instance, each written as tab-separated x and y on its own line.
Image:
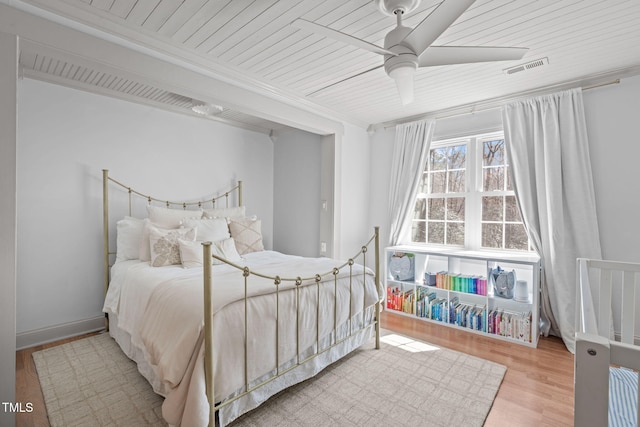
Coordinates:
196	83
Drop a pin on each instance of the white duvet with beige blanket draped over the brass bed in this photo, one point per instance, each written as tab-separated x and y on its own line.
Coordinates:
161	308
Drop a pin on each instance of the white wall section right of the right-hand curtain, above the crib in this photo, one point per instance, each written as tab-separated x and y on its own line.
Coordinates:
612	123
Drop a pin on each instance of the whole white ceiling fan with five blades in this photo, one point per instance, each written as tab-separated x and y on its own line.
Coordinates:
406	49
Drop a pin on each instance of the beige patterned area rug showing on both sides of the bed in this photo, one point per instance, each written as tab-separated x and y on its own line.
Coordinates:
407	382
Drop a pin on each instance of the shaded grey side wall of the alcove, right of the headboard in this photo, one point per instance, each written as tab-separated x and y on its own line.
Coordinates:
297	174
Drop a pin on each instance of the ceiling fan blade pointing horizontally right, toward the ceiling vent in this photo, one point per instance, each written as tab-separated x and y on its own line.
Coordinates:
445	55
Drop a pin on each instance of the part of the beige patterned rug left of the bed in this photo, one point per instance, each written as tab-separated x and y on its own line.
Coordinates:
90	382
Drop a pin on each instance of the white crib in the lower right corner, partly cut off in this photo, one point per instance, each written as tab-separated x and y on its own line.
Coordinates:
606	362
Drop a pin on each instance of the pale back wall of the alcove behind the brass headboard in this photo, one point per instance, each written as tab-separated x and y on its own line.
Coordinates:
65	138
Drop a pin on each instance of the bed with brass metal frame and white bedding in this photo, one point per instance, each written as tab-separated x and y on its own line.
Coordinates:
312	310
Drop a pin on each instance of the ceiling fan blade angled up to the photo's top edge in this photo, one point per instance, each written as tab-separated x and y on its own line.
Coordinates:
426	32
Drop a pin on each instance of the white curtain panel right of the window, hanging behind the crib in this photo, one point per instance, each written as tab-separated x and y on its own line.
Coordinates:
548	151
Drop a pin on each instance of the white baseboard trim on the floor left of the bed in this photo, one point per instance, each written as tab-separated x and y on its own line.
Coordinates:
58	332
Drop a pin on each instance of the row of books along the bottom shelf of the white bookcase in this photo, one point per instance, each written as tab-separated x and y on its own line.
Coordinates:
424	303
